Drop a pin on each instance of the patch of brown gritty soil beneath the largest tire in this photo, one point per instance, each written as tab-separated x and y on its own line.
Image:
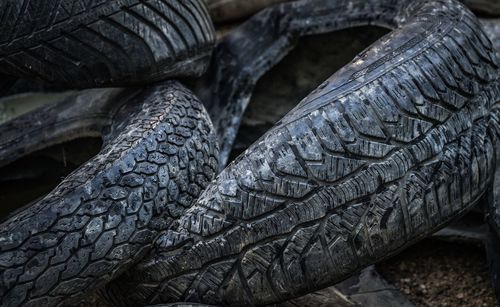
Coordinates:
441	273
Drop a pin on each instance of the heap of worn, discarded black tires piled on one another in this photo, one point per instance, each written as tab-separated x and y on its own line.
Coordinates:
393	147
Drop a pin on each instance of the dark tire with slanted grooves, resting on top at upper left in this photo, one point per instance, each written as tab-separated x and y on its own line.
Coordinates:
101	43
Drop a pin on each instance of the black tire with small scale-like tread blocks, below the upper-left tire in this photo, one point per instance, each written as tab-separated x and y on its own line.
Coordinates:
159	153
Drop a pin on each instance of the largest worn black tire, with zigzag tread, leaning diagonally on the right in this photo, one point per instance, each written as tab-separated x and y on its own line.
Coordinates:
391	148
